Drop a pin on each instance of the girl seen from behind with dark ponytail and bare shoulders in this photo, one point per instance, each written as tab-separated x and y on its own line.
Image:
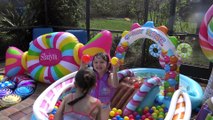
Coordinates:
80	105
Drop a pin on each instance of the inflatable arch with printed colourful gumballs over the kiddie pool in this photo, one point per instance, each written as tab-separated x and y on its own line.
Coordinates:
168	49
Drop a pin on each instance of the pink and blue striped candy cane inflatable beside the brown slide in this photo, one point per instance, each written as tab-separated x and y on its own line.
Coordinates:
141	93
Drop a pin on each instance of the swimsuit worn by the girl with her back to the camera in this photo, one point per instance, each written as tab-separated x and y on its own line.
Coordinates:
73	115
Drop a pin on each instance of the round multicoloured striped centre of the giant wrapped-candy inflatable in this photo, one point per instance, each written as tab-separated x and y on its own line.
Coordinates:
51	56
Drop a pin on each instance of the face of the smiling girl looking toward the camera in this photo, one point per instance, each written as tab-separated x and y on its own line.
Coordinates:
99	64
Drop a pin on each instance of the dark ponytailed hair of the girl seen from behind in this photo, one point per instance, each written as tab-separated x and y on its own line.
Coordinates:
84	79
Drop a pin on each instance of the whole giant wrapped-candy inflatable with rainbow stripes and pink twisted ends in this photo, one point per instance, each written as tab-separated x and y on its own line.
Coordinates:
54	55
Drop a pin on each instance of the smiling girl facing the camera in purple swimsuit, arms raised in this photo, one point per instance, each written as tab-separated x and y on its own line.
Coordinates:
107	81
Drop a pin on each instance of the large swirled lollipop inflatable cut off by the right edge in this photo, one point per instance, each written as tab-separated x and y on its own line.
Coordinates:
206	44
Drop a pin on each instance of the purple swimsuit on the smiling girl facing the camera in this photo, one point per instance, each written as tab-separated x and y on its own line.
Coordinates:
103	91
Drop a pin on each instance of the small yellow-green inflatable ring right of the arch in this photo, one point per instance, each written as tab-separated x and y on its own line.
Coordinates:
184	50
